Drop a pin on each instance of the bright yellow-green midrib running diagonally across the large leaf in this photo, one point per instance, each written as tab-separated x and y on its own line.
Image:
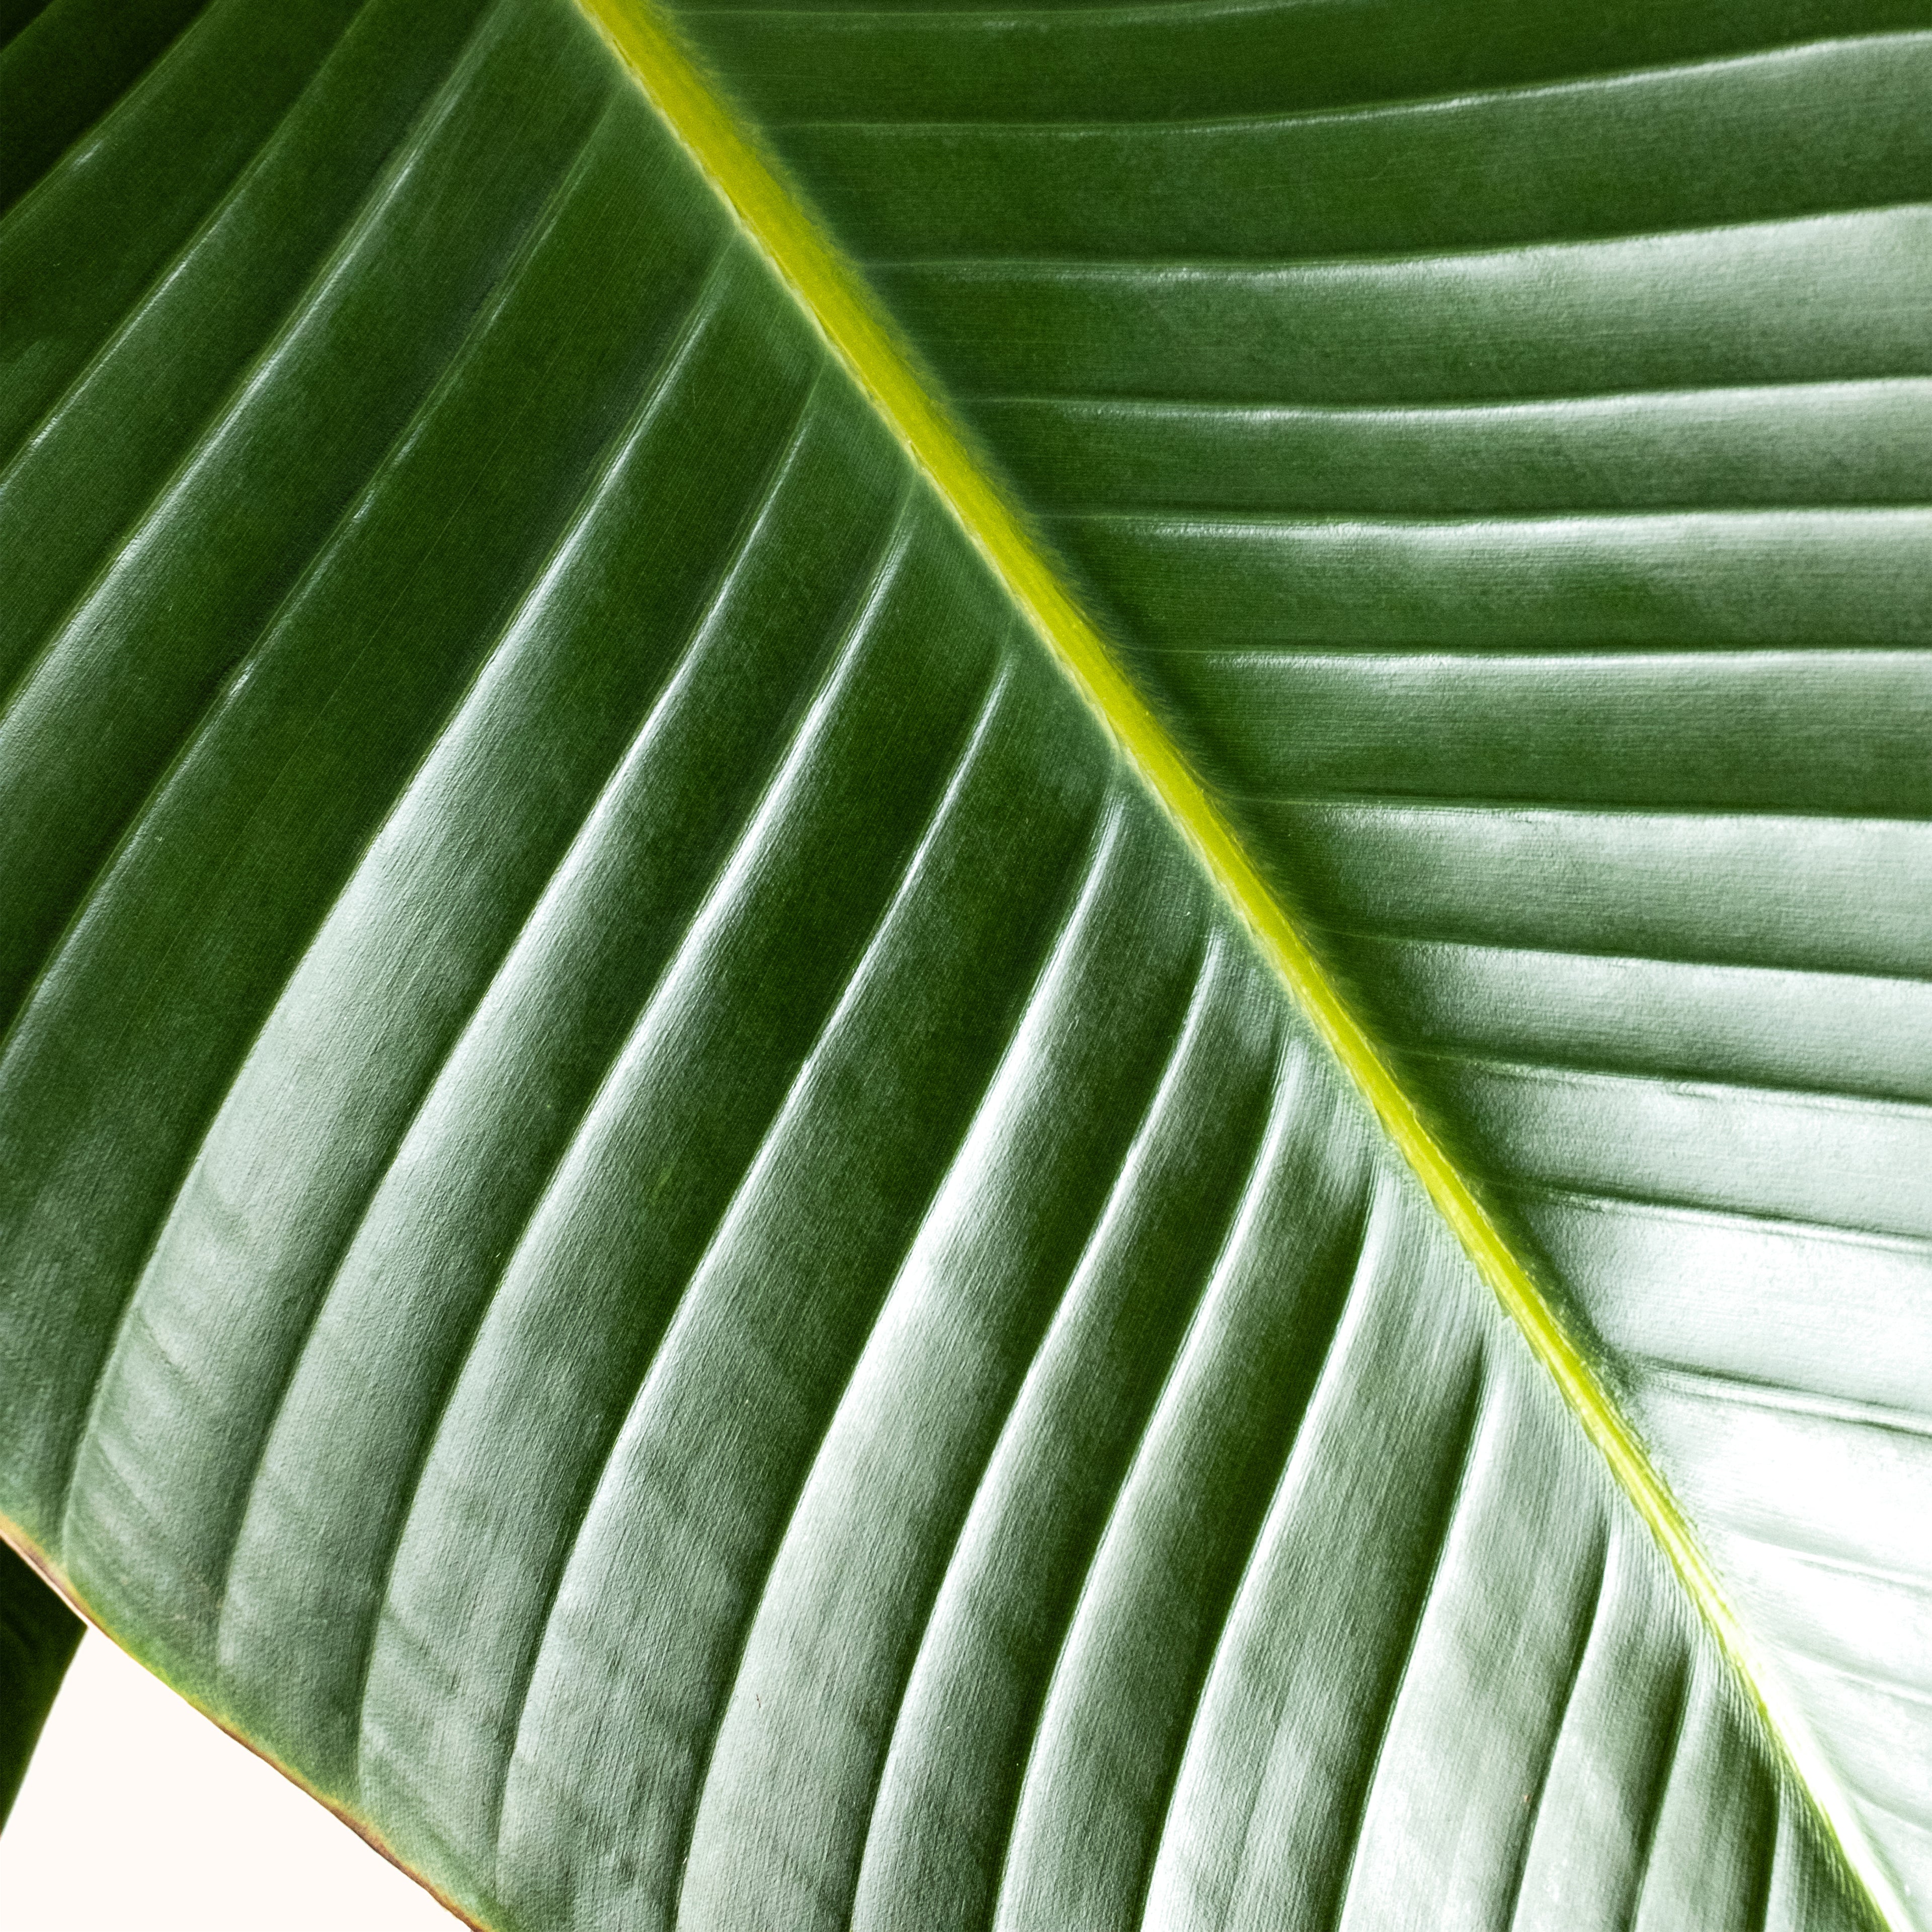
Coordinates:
845	314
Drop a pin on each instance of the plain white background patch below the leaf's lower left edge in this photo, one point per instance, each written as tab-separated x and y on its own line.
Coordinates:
138	1813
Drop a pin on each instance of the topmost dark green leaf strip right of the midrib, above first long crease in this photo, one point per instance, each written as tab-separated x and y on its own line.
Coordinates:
1160	63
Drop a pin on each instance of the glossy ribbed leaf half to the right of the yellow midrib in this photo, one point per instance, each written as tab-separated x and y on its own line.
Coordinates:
1504	441
